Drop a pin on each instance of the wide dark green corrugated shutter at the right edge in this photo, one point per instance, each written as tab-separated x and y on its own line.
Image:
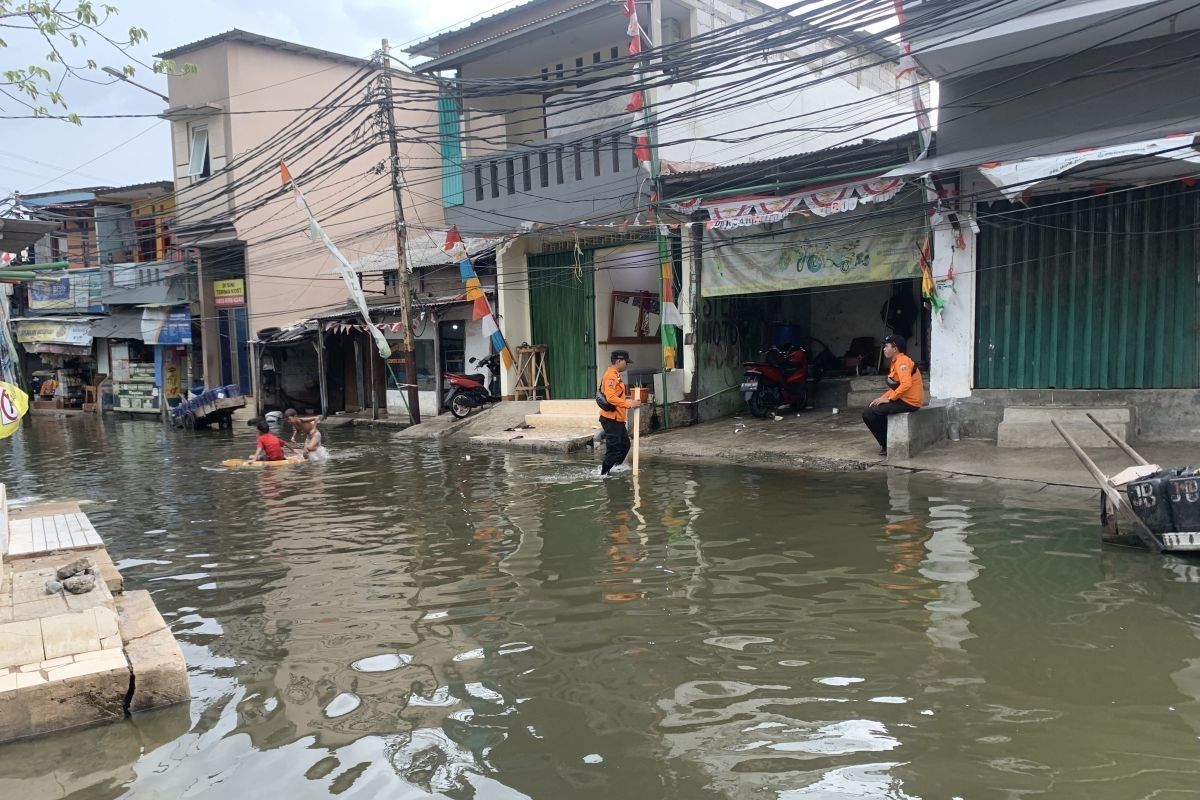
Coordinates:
1095	293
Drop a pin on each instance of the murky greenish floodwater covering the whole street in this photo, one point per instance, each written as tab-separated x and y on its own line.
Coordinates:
410	622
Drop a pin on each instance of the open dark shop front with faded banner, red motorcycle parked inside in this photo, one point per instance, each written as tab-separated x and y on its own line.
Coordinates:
835	285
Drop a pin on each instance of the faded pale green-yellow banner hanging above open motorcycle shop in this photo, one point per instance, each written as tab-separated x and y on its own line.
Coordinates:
814	254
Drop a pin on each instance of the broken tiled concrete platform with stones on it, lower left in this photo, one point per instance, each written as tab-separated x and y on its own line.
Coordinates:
73	660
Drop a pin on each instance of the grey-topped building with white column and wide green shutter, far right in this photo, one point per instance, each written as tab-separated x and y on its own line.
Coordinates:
1066	158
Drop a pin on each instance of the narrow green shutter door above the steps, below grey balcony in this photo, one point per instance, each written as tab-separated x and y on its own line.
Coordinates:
562	312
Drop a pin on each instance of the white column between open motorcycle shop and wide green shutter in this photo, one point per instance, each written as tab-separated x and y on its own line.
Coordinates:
952	346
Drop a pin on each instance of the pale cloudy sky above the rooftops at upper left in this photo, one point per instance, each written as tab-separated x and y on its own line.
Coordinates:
37	154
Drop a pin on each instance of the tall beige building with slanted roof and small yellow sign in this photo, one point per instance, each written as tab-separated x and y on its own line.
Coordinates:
254	104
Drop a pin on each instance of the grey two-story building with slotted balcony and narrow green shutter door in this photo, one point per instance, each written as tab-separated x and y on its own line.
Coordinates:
551	111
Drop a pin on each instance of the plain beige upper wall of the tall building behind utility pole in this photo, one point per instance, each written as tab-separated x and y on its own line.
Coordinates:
248	95
